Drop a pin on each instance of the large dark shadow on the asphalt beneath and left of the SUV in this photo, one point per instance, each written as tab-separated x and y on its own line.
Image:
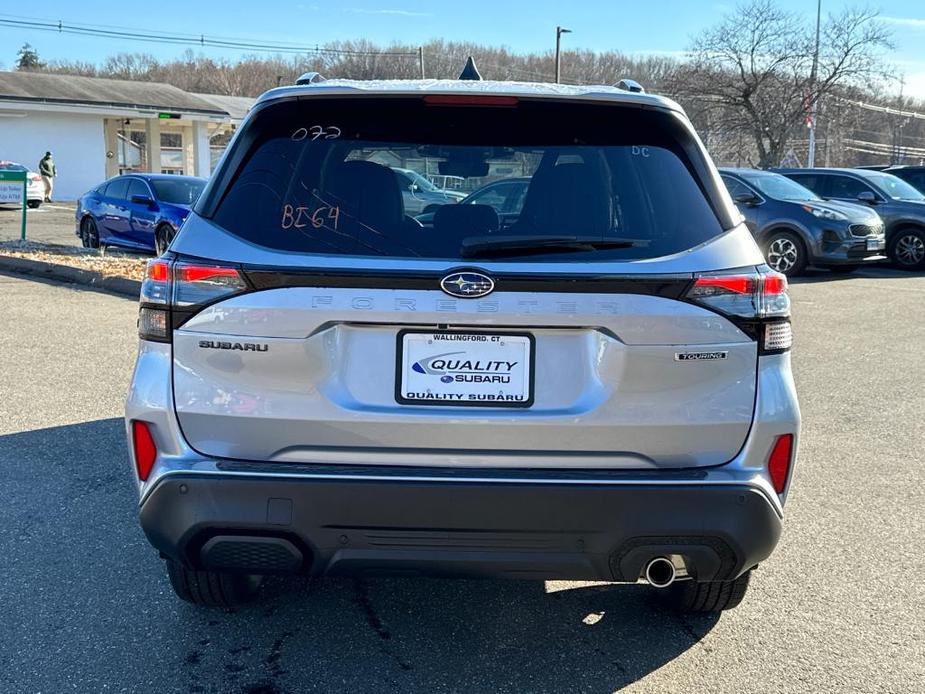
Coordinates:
88	603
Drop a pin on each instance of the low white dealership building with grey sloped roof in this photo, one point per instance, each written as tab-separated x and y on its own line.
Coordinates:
98	128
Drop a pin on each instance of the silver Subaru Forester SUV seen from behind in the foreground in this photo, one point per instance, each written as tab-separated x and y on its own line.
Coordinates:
596	388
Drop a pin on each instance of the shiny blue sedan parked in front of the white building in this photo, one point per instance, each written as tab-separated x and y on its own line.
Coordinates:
138	211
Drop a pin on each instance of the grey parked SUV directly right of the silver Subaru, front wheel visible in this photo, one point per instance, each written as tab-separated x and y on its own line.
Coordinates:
796	228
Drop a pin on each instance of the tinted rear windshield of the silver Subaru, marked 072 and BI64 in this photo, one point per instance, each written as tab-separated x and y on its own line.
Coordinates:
361	176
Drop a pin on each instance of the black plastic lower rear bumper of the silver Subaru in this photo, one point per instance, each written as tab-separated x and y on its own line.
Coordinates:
505	527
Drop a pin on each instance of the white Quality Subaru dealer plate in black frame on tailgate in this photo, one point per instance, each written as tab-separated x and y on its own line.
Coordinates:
464	369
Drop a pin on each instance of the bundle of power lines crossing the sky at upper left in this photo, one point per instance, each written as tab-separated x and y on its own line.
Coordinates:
200	40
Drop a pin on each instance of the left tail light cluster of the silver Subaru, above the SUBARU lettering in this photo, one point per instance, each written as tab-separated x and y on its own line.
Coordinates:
173	291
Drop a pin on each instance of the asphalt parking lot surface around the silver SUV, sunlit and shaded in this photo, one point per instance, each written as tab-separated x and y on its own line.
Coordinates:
840	607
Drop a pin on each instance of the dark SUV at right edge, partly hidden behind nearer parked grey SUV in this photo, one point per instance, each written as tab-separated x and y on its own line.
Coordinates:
901	206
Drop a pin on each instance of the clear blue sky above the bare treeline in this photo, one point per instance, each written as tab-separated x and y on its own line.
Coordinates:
663	26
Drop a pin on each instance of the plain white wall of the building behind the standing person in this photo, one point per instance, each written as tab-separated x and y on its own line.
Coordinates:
76	140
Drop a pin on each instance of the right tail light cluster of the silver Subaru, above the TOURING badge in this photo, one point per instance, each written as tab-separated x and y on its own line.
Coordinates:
755	301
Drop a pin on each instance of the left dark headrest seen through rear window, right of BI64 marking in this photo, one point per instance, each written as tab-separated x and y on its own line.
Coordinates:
367	192
